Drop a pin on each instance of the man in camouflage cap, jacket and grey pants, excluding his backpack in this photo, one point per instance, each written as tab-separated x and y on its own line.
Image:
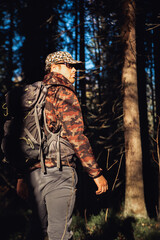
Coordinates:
54	192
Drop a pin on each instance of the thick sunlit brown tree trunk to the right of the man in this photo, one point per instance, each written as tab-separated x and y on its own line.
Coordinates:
134	190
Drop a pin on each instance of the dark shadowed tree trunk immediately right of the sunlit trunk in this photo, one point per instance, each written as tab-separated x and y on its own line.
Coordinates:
142	90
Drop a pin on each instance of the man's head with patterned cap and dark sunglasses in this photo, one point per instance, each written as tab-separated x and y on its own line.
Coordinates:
63	63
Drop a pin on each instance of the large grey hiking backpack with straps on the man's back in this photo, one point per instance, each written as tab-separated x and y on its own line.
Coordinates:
25	140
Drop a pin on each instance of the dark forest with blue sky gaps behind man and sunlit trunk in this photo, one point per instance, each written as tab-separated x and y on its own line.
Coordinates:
91	30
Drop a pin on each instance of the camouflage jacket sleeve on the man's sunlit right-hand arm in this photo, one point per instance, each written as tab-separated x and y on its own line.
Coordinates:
70	116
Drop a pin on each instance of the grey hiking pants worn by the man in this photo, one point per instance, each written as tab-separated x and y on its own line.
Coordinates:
53	195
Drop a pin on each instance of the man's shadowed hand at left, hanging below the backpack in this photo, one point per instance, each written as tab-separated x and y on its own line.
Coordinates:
22	189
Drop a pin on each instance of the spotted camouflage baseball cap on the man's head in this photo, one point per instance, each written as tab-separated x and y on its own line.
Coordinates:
59	57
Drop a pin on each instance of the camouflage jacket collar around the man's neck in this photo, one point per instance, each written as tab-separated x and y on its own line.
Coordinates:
57	79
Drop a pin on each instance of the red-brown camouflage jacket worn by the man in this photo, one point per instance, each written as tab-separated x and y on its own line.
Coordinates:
63	109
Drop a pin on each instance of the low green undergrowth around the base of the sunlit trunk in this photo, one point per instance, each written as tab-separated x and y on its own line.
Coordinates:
116	227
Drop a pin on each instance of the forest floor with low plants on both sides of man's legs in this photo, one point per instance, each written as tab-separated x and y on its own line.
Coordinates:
15	224
